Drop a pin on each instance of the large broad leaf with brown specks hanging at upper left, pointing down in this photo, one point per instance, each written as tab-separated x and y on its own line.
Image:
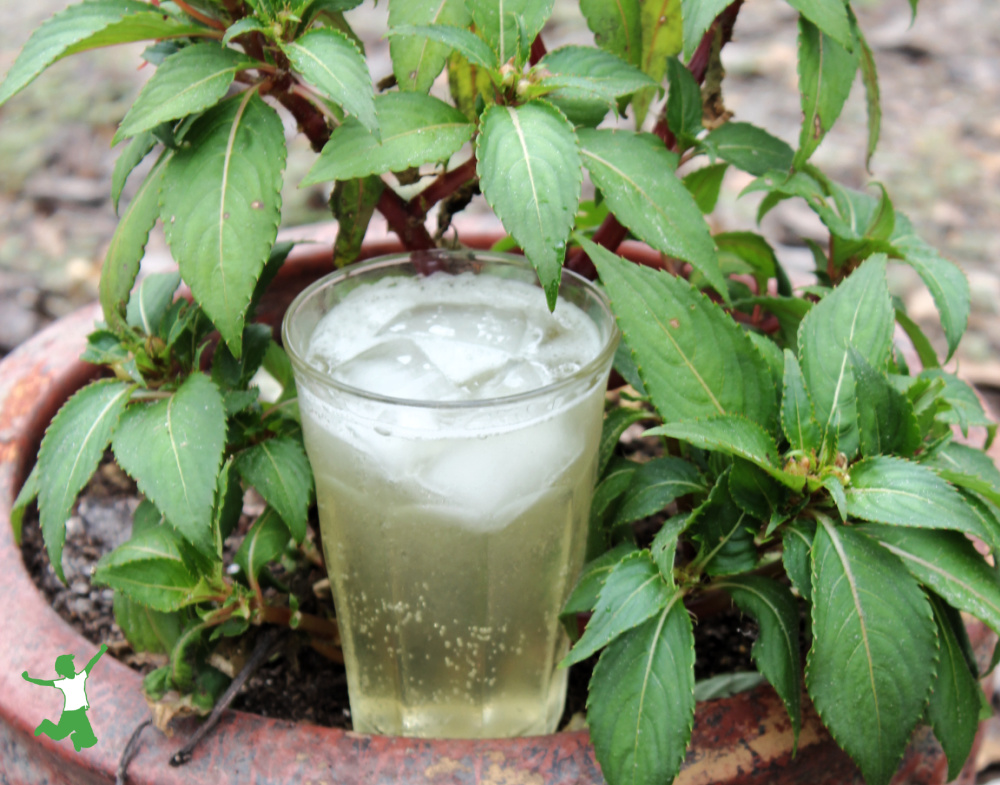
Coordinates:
221	204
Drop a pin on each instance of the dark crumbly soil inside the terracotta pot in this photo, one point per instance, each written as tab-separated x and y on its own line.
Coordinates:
297	683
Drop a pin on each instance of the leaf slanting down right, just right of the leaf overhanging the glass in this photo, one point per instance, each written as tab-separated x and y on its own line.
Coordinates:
635	175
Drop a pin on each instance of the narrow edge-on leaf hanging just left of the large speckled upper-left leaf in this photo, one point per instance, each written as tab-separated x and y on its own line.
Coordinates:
121	263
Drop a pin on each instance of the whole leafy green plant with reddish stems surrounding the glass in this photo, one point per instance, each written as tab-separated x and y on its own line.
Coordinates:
796	440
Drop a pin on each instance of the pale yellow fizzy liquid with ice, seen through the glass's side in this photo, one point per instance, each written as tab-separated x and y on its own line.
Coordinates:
451	552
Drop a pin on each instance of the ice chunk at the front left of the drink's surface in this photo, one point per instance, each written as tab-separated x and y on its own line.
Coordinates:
398	368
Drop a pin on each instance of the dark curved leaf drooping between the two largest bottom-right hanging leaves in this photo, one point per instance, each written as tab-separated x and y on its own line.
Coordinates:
776	650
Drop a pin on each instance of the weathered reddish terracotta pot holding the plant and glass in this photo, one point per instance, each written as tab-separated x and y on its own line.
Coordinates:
745	739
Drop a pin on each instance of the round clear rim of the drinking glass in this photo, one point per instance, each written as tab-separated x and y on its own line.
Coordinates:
602	358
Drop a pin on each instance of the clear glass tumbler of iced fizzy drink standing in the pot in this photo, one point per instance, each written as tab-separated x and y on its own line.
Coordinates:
453	530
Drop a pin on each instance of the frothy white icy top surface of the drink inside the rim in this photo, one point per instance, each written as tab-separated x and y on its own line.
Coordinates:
451	337
